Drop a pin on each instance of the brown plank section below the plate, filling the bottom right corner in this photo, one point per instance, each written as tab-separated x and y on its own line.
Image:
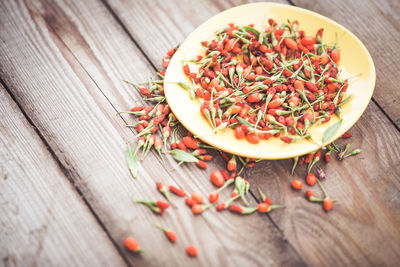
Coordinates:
363	229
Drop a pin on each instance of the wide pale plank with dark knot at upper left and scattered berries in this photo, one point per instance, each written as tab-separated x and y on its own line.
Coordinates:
49	50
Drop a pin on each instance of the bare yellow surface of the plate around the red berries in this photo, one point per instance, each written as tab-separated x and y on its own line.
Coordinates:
355	59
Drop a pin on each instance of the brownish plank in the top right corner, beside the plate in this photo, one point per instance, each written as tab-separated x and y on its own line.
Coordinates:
378	27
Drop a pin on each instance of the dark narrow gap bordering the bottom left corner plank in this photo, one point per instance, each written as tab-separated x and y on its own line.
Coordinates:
65	172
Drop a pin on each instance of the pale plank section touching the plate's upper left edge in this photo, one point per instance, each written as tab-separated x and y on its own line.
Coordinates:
156	30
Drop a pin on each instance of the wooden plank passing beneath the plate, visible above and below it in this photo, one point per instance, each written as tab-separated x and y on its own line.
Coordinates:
366	202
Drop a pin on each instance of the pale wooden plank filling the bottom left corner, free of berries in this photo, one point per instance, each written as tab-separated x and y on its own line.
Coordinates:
43	219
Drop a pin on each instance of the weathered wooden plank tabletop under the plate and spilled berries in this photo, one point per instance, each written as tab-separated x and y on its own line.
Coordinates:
65	190
